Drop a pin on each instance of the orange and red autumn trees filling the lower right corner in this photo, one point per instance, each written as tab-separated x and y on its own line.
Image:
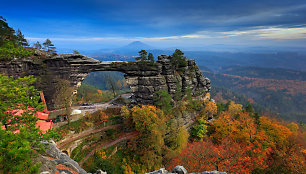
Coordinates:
243	142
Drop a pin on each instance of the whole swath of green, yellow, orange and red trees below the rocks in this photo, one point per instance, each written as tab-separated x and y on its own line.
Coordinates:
238	140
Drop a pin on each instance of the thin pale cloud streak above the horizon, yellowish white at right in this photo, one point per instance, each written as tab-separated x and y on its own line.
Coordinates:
261	33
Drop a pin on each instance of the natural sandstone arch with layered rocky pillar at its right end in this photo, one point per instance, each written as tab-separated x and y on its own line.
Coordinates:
144	78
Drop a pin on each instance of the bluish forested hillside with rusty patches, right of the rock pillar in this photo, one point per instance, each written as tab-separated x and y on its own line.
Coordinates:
271	89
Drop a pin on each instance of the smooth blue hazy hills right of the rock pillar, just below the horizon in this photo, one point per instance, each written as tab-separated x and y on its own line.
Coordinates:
219	60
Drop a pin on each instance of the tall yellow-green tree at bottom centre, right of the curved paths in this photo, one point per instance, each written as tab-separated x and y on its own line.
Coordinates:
149	121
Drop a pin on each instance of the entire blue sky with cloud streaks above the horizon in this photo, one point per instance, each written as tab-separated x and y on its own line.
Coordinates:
99	24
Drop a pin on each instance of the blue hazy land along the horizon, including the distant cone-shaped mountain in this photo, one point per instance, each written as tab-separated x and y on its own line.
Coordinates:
216	61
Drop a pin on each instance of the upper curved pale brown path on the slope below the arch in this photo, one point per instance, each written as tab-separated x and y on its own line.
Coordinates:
72	138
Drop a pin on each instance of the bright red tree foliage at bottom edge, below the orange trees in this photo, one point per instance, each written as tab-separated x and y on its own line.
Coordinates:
229	156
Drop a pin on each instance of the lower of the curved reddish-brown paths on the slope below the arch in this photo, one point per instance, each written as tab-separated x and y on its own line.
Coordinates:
109	144
